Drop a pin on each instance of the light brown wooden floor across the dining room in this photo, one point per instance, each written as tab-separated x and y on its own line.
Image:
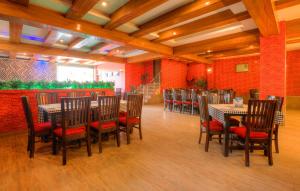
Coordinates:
168	158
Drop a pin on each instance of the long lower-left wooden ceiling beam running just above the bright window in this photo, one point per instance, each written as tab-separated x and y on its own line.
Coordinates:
35	49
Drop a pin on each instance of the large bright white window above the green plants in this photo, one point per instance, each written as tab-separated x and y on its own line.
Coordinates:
75	73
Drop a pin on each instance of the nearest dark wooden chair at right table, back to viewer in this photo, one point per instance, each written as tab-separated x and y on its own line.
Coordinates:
258	128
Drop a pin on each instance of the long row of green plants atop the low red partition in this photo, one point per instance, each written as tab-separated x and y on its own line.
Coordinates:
18	84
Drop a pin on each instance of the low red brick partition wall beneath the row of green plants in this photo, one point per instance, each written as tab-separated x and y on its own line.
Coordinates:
11	111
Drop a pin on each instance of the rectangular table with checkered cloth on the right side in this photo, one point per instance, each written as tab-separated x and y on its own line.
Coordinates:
222	113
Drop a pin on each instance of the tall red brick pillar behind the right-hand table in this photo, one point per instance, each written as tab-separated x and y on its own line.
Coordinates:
273	64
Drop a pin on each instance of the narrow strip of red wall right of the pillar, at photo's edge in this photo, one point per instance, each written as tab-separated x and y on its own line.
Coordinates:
293	73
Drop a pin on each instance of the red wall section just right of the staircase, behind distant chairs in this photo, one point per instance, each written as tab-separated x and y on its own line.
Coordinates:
173	74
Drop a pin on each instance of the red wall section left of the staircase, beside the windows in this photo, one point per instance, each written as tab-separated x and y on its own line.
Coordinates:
134	71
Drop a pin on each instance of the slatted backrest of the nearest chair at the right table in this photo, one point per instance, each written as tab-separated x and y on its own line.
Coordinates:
260	116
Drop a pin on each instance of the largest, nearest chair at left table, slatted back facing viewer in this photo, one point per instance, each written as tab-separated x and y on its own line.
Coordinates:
75	124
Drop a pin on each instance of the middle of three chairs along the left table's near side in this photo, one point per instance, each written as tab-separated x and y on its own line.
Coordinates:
108	118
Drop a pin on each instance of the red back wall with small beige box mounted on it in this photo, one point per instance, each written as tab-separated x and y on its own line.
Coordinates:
224	75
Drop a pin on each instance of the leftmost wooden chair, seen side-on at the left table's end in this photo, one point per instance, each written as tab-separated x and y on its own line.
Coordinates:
38	130
